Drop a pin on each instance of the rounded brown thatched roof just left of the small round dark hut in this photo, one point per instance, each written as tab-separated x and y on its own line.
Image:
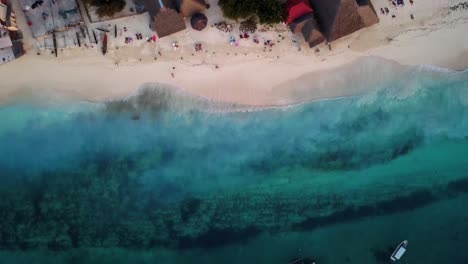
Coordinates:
168	22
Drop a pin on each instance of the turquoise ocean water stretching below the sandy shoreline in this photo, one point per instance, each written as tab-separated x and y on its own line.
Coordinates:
164	177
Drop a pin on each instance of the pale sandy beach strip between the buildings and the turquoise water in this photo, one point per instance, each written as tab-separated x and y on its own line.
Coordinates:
245	74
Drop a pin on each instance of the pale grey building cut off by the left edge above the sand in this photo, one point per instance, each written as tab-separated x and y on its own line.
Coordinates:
11	38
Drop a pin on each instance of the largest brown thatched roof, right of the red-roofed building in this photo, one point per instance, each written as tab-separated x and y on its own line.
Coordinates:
338	18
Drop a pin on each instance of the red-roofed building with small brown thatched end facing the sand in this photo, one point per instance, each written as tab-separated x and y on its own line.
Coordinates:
301	20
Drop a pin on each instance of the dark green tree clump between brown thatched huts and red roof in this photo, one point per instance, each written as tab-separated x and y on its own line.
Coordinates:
268	11
